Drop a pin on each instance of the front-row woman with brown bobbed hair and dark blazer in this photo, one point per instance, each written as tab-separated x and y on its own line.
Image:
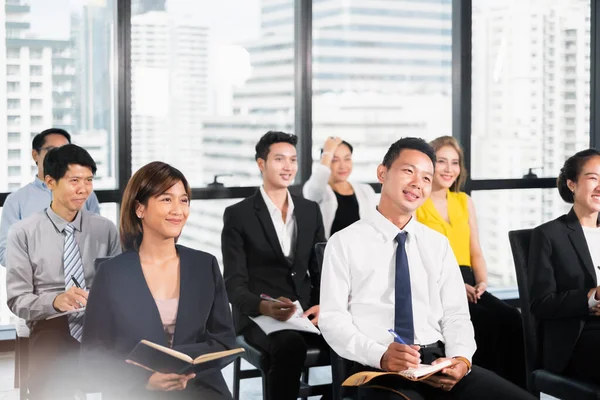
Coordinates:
156	290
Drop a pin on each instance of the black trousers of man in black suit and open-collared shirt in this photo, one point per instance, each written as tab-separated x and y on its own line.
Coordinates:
287	354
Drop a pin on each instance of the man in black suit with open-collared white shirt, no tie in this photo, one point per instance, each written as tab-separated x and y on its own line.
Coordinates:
268	245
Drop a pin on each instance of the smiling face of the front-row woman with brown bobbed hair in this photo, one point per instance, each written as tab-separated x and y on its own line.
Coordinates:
165	215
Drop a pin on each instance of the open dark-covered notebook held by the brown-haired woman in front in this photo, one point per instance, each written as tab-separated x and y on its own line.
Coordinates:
157	358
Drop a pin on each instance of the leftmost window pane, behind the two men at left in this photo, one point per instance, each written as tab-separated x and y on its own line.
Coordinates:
72	69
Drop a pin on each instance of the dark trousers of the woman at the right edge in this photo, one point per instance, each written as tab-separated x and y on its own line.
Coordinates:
584	361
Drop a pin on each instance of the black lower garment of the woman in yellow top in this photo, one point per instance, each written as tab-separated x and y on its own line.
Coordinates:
499	335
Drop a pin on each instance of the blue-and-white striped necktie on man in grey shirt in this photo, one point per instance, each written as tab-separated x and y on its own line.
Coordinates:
73	267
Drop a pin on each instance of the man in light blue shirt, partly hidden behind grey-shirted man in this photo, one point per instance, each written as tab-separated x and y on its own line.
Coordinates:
36	196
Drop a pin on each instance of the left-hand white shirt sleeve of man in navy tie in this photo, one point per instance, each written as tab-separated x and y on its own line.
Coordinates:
335	321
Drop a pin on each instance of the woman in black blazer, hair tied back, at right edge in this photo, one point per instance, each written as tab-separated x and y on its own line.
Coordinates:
564	274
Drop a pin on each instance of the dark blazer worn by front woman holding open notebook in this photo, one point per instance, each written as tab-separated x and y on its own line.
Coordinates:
121	311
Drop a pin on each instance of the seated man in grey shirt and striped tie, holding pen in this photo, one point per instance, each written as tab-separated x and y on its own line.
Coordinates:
49	255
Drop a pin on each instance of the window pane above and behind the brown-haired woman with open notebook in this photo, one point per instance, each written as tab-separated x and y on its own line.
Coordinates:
187	96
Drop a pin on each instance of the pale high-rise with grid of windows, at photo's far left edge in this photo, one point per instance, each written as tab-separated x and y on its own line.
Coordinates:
39	91
